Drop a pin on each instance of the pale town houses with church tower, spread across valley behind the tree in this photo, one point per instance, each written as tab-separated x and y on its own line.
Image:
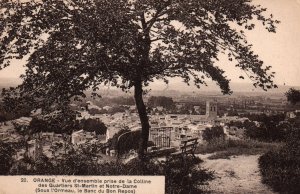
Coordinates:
166	130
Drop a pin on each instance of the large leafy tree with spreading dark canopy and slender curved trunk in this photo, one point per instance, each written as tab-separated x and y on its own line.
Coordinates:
75	45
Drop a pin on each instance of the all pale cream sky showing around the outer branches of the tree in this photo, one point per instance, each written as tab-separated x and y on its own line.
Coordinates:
281	50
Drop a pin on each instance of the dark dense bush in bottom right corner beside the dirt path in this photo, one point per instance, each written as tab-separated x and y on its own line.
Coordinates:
281	169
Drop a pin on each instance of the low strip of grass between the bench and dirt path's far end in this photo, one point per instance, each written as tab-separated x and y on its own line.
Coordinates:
223	149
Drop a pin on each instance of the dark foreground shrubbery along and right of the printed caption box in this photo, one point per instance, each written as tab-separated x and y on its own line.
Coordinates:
181	176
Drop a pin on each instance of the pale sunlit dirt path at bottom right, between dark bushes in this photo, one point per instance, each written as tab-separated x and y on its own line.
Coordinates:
239	174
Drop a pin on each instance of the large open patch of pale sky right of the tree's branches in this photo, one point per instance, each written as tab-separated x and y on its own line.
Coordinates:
282	49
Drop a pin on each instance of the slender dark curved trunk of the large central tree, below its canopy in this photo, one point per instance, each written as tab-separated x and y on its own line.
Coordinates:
138	96
